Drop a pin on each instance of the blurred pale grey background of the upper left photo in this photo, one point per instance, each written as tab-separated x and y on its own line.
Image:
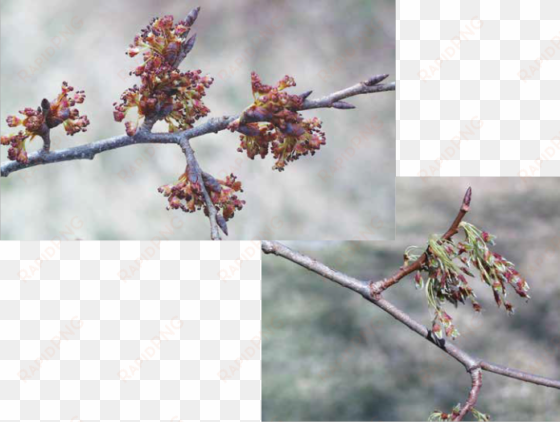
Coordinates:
325	45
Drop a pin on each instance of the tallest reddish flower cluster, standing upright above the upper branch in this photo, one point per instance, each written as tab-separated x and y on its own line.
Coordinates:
165	93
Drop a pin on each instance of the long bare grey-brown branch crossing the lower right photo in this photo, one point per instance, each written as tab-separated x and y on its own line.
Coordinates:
472	364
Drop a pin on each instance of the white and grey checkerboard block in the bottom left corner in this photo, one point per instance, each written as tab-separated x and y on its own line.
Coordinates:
122	331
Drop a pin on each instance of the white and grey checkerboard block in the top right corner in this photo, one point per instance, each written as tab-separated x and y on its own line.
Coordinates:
478	92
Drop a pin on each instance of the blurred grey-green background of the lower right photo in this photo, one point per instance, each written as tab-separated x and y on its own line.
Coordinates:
330	355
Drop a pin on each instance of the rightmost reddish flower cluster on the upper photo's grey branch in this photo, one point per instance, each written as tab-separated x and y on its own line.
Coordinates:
272	123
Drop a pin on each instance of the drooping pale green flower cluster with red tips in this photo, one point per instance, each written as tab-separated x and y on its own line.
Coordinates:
447	281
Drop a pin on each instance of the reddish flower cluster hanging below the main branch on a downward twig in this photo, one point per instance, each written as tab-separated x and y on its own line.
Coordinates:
188	196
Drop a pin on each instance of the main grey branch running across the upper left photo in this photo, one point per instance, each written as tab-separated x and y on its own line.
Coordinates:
213	125
